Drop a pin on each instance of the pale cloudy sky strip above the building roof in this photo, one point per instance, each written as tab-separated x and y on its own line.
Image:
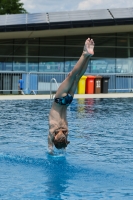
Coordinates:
42	6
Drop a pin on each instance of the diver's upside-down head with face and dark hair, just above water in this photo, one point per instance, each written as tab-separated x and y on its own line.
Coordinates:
60	140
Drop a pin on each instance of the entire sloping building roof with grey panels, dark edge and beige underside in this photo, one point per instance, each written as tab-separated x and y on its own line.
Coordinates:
66	23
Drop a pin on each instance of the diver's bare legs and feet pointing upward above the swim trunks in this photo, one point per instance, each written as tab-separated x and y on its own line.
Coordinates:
80	65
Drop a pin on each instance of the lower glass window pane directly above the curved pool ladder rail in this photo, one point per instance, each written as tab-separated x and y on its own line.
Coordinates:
51	65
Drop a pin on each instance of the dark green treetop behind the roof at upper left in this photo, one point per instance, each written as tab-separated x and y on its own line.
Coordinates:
11	7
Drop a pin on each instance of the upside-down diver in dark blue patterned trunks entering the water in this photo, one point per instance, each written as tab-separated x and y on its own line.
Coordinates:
58	125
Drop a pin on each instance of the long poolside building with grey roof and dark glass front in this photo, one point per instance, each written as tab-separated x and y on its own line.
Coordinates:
53	42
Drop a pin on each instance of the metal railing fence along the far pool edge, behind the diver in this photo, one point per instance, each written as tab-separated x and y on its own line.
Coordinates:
41	83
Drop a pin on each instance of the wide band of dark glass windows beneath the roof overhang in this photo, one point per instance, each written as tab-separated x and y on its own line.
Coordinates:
113	53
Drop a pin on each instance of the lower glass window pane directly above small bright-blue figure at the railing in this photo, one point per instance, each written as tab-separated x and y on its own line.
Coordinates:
19	64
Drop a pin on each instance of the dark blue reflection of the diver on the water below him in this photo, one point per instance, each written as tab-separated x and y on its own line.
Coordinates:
58	179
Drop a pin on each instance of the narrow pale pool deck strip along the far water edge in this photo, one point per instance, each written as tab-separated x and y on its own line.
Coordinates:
76	96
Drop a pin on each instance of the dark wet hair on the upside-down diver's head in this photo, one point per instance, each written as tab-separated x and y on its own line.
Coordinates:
61	142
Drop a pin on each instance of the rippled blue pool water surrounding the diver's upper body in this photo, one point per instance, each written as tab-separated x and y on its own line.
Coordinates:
98	163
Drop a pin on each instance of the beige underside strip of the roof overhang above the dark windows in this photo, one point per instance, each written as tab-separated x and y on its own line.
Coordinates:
66	32
